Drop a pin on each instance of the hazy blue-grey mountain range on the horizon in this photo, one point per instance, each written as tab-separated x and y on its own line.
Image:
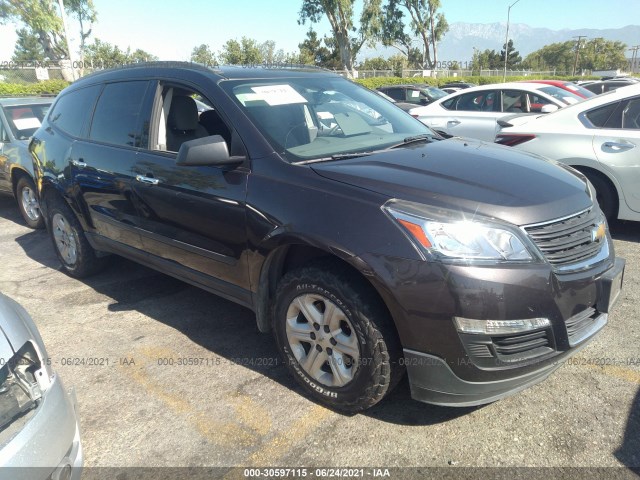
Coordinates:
459	41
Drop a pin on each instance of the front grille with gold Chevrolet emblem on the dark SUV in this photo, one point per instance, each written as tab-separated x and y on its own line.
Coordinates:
570	240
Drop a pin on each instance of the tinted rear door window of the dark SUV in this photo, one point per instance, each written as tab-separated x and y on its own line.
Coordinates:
117	116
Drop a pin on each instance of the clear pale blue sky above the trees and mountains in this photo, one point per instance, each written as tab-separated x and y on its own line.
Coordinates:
171	29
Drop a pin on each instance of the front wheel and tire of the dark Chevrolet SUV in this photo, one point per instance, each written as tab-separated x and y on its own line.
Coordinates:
362	319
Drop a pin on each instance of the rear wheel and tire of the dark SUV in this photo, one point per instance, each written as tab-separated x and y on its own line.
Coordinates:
79	259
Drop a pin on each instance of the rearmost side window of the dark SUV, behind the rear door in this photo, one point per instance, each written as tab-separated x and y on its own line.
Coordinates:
72	111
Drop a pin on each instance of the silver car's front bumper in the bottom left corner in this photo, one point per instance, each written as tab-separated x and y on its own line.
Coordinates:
48	446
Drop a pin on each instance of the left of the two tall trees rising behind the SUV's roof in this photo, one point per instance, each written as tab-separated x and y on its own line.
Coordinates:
340	16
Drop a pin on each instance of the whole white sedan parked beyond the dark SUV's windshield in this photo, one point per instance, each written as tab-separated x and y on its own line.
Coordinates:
473	112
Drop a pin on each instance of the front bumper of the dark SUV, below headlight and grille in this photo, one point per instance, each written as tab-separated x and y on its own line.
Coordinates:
447	367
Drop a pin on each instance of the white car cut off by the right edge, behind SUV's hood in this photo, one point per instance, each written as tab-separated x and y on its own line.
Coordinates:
600	137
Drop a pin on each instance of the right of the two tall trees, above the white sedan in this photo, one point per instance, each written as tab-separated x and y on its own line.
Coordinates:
426	23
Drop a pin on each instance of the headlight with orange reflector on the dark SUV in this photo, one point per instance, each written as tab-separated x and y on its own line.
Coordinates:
448	234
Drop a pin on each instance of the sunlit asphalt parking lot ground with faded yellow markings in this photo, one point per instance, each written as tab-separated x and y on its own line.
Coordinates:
122	339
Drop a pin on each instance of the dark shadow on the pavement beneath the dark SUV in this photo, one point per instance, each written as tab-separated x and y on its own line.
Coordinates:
220	326
